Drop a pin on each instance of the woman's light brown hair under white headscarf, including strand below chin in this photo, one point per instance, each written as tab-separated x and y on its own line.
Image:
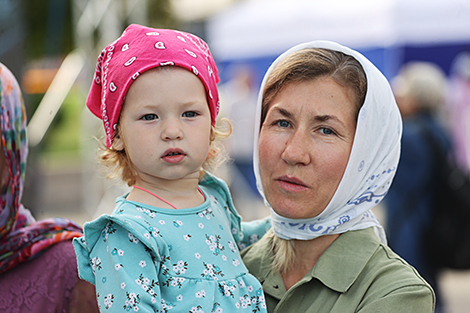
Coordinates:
305	65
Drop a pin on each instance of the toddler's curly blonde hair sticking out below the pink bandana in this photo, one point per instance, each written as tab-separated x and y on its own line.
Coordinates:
119	165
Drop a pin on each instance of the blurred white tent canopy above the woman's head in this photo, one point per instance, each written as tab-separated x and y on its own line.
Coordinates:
267	27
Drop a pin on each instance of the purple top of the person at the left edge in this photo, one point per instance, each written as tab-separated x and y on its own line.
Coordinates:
46	284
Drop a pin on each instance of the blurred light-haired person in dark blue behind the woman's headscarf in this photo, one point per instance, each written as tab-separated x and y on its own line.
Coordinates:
420	90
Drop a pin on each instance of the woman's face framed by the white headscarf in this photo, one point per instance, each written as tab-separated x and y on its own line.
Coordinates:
304	146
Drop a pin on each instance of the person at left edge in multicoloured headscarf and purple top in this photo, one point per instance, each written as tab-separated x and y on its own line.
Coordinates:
38	268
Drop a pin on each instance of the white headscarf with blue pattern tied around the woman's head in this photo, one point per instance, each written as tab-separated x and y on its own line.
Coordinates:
371	166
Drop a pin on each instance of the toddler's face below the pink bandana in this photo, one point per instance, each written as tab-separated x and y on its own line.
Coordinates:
165	125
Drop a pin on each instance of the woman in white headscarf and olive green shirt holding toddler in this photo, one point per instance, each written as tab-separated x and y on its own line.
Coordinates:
328	147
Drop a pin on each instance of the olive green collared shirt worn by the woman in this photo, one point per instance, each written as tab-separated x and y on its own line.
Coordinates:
355	274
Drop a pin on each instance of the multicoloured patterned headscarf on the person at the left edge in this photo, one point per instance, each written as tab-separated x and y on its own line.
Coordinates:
21	237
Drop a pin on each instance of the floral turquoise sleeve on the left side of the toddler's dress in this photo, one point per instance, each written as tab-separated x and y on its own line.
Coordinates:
125	271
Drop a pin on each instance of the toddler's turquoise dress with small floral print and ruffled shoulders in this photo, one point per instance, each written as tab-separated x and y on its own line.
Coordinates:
147	259
